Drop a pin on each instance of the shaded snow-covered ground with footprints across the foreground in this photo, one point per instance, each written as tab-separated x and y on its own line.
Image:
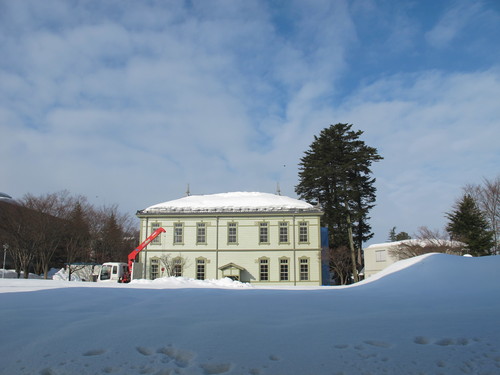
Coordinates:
435	314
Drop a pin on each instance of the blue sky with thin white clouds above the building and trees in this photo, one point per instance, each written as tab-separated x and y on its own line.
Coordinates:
127	102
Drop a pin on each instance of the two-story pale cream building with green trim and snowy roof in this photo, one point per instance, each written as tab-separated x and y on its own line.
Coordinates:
247	236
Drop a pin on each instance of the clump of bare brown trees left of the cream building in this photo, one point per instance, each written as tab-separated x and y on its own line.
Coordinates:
53	230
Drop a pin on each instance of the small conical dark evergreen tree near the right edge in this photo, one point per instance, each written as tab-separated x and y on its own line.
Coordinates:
468	225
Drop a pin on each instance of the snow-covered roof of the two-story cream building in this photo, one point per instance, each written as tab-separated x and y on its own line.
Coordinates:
231	202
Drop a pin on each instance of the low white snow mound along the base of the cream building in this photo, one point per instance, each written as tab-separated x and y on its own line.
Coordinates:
183	282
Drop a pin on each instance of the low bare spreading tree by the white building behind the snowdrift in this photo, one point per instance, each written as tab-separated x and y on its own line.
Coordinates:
427	241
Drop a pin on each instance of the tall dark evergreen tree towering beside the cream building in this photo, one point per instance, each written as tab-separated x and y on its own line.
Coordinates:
335	173
